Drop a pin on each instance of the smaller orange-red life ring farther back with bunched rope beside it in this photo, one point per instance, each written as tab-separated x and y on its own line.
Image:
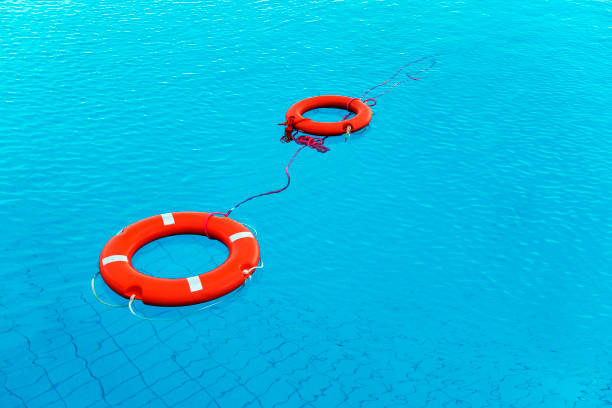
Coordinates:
296	120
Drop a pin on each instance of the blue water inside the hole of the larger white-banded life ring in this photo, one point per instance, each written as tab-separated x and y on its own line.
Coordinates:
180	256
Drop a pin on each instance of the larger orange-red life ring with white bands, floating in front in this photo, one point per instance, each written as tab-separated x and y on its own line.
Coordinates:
119	274
